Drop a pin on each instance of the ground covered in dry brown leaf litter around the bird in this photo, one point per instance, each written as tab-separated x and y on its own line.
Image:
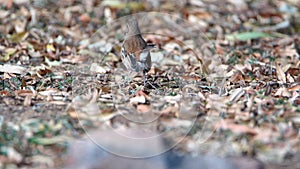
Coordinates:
224	80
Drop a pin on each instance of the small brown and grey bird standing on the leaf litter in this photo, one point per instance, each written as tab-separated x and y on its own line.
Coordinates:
135	51
